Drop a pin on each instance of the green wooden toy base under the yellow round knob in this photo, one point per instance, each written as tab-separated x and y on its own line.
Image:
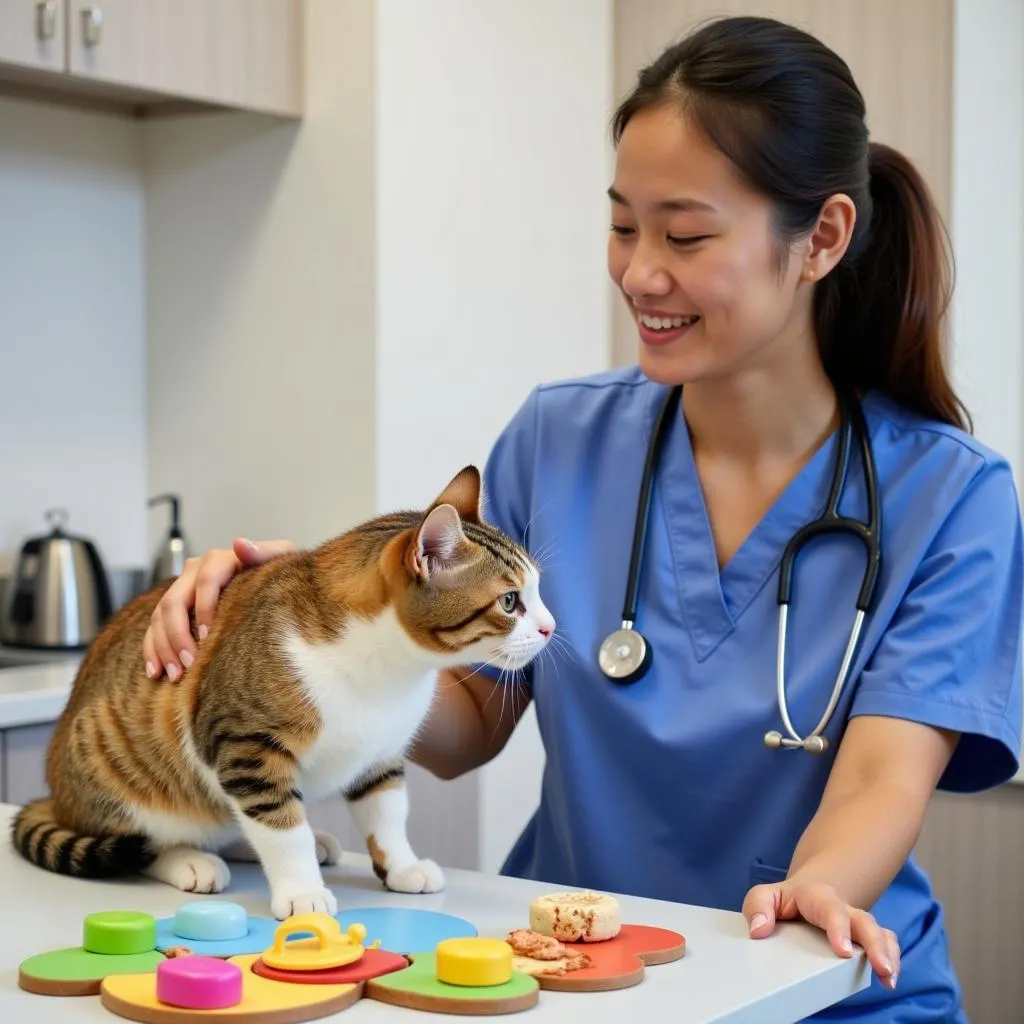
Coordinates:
418	989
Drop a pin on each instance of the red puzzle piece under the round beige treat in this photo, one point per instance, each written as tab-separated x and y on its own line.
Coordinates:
618	963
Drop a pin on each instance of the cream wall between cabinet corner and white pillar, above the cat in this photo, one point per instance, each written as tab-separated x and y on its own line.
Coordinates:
261	277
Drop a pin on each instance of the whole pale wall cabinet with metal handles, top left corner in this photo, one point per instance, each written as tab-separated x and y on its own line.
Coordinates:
154	57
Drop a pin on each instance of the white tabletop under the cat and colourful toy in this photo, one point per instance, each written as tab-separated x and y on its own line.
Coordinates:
724	976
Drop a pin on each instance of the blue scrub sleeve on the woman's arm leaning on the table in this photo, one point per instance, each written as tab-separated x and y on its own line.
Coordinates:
952	656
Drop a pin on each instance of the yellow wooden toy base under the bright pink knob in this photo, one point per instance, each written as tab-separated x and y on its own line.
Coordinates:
264	1002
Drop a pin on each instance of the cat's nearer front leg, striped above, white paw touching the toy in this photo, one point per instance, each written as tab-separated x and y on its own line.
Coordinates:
260	777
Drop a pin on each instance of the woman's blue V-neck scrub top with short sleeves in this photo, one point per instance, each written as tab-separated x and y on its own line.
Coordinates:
665	788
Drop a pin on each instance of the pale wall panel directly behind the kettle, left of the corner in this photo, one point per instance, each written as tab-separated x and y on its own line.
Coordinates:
72	329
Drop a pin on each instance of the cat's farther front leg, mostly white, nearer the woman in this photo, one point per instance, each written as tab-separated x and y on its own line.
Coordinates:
379	804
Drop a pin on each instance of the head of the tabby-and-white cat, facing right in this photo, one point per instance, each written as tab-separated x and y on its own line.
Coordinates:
468	591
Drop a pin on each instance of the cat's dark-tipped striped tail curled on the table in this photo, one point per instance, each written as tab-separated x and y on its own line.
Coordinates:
44	842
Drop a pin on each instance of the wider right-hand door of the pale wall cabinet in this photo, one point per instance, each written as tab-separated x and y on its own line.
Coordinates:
243	54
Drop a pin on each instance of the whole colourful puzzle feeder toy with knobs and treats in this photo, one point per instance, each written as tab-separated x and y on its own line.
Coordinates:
214	960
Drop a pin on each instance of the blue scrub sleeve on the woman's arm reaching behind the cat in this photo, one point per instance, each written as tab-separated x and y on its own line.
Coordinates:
508	488
